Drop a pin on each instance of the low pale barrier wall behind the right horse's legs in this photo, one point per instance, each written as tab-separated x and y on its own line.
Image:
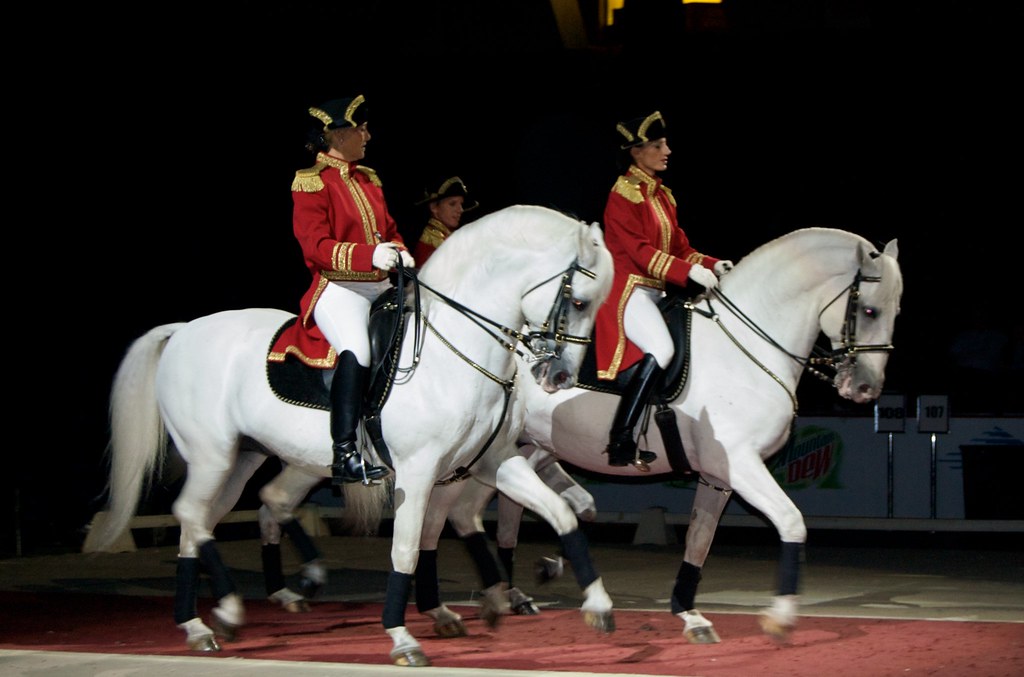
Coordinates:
839	468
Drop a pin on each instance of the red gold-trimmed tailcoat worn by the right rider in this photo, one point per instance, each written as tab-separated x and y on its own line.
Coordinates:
650	249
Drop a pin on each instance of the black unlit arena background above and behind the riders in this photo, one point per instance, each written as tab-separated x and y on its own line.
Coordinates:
166	136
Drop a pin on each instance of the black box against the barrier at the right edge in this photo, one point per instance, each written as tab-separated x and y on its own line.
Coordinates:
992	482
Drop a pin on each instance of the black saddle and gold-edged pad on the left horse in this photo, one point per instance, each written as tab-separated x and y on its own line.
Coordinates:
297	384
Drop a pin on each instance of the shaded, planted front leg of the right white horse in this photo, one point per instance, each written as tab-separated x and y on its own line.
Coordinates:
709	503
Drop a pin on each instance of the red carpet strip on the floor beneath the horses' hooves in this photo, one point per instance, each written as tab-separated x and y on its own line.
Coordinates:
646	643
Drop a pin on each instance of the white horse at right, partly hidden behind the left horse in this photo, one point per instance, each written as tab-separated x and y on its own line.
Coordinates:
749	346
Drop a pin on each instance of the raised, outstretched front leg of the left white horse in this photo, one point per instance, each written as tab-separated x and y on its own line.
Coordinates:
521	483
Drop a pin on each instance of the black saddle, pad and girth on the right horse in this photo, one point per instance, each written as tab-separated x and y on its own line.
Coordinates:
678	316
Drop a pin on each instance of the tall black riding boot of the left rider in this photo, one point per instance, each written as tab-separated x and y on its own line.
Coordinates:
347	406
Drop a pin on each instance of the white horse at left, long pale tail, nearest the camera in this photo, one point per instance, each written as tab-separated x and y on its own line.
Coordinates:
453	410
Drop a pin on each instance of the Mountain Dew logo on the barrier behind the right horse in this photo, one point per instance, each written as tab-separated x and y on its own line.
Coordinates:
812	458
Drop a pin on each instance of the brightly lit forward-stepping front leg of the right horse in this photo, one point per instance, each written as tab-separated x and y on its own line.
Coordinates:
760	490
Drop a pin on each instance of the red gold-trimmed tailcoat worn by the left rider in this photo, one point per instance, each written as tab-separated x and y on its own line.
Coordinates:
339	218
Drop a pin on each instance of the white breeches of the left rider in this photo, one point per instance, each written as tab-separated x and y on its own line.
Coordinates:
343	313
